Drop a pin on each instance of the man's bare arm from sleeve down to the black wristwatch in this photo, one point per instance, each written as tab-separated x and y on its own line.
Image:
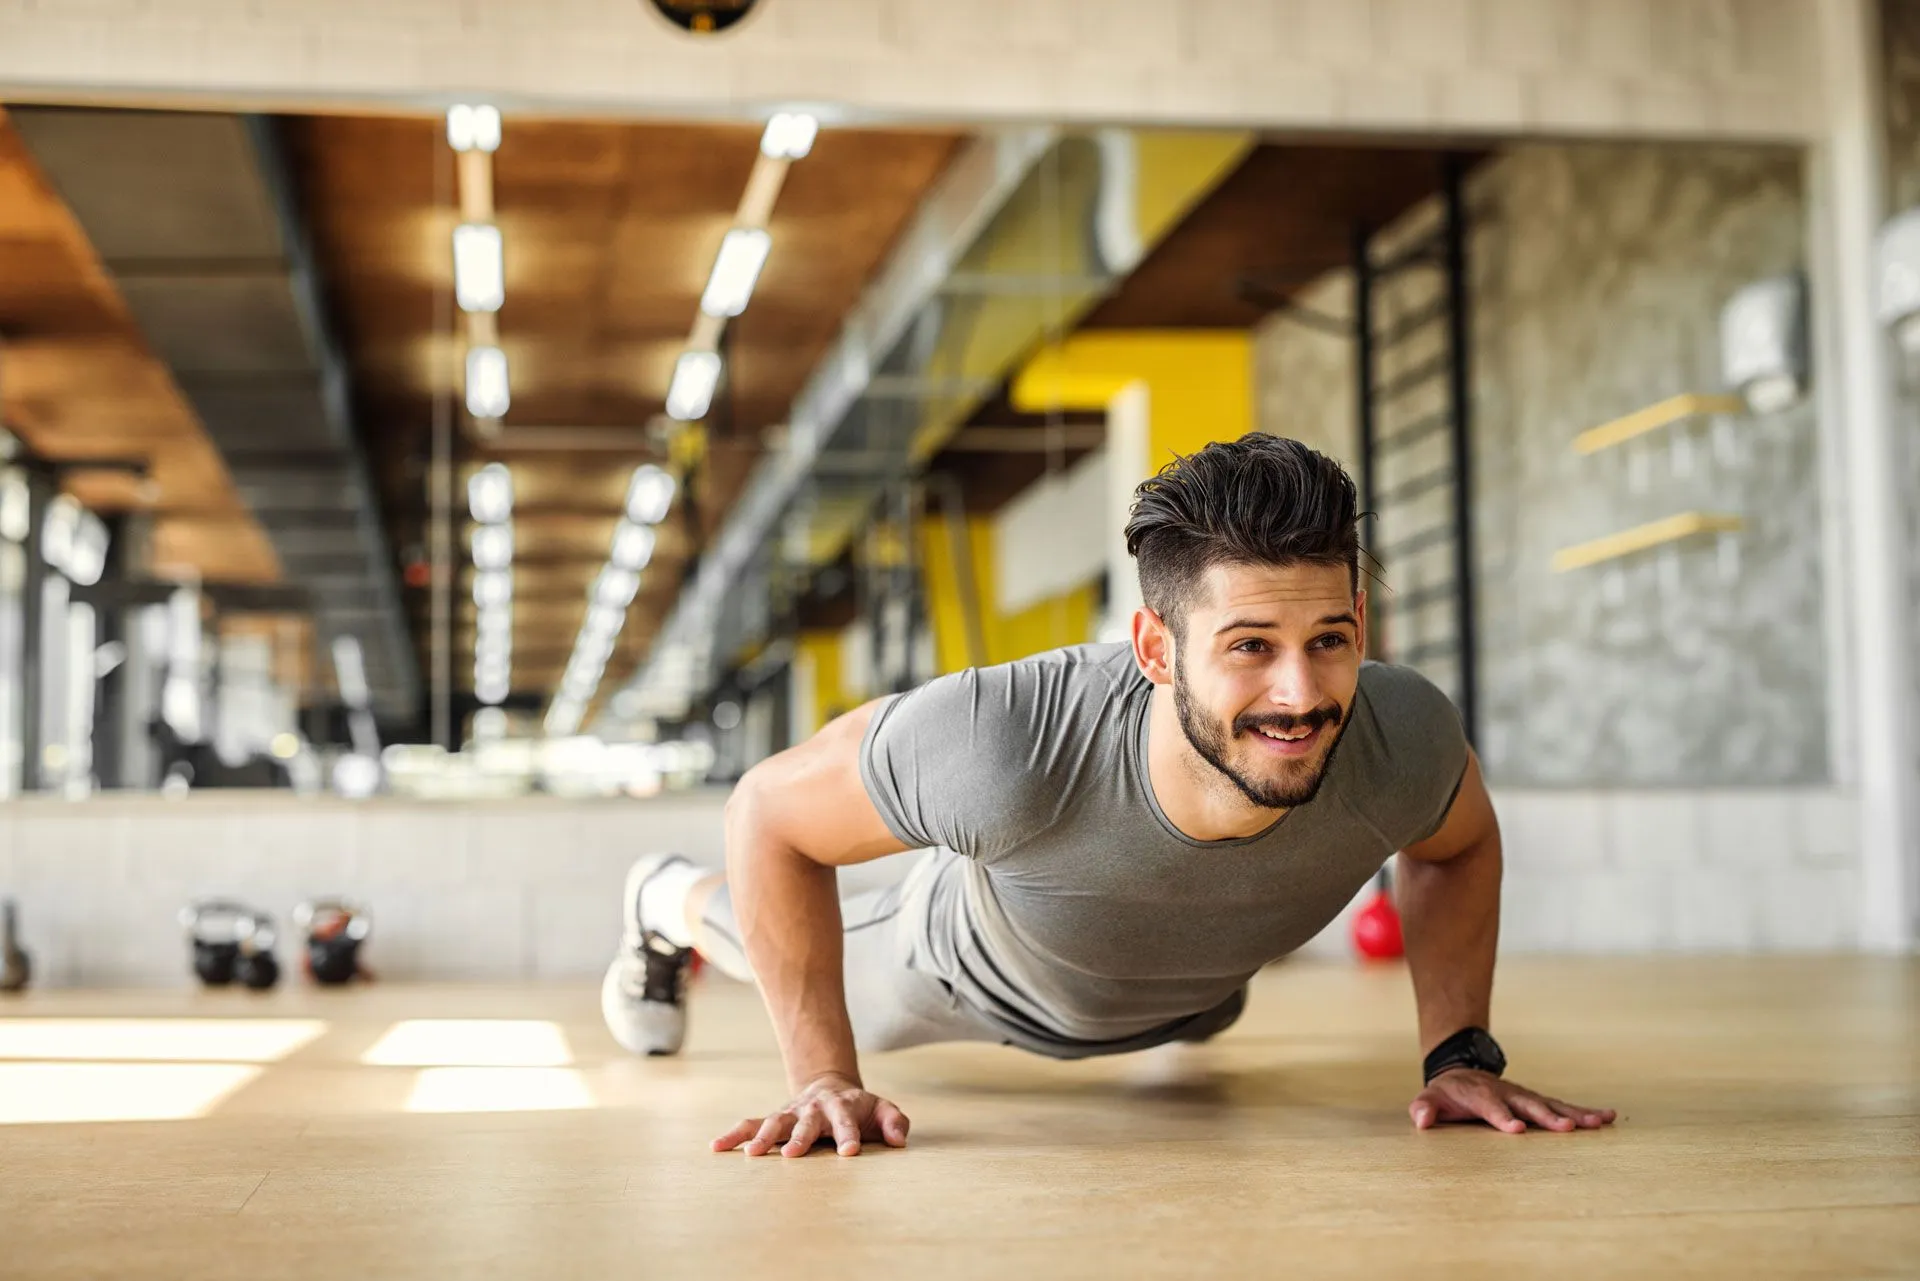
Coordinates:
1449	900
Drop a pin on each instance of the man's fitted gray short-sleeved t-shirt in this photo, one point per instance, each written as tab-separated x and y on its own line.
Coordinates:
1067	907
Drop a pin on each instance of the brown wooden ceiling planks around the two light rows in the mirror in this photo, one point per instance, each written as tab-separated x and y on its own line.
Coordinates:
610	233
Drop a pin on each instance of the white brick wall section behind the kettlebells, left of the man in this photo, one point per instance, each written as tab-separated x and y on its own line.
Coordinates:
485	892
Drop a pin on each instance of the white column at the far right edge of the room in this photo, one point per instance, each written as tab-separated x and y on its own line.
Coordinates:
1850	168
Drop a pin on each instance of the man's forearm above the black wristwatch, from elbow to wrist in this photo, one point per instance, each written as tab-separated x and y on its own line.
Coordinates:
1451	923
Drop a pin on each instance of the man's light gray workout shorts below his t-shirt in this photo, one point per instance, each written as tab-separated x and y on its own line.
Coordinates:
898	1000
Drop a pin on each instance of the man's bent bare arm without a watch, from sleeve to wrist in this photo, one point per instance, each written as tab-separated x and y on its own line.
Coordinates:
790	823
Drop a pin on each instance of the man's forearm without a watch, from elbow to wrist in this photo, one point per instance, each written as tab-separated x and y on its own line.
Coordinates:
788	911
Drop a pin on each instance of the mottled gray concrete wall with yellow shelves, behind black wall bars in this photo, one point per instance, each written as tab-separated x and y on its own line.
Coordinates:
1598	278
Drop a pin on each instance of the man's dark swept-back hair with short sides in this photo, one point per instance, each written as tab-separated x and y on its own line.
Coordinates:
1259	500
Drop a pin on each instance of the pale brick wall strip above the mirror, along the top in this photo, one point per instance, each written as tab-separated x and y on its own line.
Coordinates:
1710	68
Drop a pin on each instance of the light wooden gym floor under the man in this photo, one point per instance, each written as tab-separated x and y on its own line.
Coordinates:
1771	1128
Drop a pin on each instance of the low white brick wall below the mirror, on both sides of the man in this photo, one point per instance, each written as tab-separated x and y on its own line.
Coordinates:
531	888
